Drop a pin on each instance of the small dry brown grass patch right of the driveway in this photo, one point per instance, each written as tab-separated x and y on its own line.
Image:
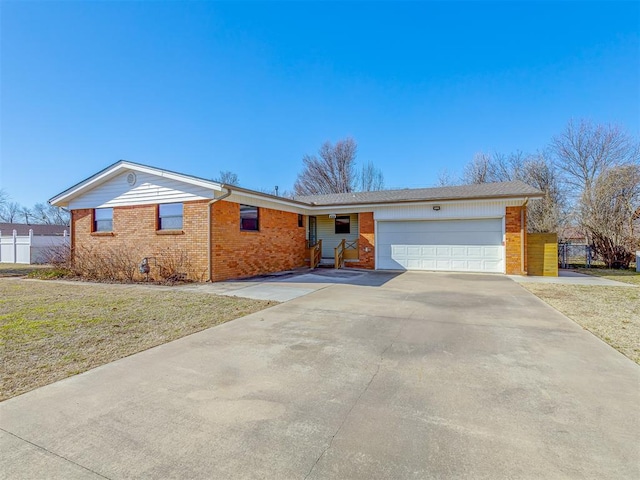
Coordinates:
611	313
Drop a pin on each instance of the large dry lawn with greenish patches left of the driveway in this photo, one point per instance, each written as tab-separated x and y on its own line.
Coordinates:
50	330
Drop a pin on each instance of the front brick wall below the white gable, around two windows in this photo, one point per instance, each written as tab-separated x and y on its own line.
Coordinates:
134	236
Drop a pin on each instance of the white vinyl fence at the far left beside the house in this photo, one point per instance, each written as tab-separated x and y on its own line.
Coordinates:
30	248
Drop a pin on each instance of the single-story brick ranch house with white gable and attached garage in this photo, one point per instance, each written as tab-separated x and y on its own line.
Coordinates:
230	232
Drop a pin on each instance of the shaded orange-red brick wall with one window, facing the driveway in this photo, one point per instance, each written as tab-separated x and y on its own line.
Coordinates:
279	245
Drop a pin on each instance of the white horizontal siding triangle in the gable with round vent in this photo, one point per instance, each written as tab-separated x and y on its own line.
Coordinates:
148	189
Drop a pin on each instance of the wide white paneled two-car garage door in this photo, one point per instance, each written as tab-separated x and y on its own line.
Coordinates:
449	245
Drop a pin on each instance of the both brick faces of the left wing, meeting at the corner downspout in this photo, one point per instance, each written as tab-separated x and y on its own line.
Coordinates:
279	245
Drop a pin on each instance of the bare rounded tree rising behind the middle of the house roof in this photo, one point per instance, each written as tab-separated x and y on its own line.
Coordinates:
332	171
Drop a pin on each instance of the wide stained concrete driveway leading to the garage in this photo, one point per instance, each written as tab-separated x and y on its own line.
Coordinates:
416	375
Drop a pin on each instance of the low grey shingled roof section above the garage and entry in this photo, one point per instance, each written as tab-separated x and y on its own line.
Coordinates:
514	189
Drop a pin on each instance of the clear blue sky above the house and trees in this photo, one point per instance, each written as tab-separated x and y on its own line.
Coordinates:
252	87
